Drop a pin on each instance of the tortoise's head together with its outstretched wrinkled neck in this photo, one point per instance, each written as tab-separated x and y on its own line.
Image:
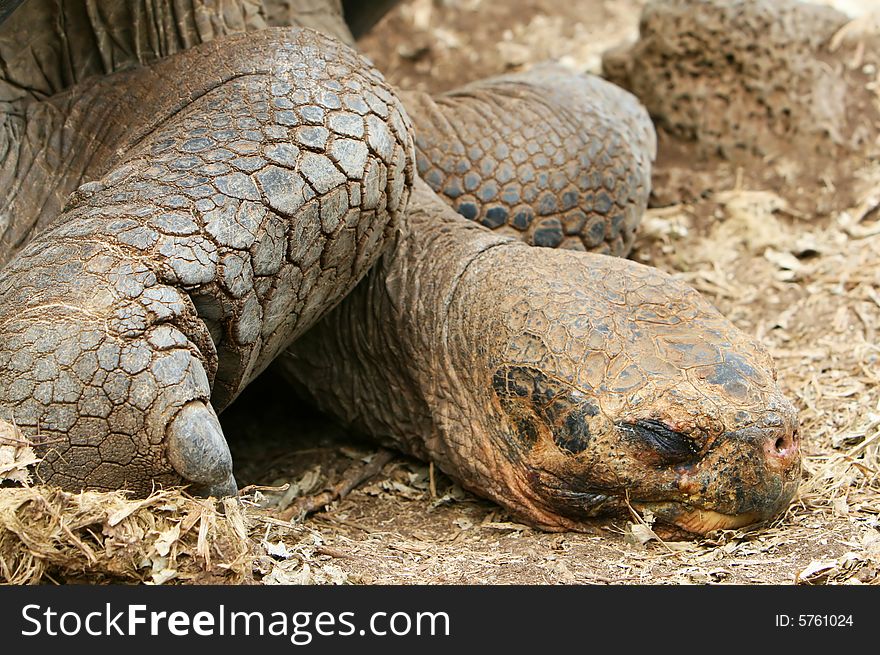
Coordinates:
559	384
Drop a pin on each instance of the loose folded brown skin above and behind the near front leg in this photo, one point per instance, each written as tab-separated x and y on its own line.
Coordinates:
62	123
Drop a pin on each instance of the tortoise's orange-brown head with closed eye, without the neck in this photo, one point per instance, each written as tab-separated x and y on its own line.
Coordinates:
609	383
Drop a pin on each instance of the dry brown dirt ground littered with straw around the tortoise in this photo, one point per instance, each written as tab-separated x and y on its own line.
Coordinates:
806	283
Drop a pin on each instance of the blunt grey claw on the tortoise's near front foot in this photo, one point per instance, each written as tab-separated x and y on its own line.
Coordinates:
198	451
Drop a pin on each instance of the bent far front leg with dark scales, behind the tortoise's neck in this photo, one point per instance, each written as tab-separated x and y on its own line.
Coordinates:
554	158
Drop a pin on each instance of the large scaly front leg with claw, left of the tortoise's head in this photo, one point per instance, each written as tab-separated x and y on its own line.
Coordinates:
264	191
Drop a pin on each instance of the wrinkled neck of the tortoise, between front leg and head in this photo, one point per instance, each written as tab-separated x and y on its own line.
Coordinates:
379	361
